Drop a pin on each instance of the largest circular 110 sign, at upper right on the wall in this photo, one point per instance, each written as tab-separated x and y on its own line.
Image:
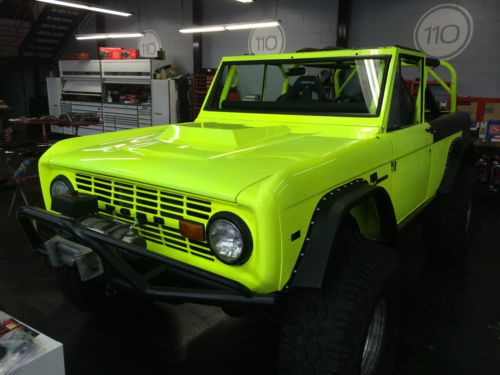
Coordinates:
444	31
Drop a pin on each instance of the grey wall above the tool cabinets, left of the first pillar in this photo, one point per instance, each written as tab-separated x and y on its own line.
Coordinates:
164	17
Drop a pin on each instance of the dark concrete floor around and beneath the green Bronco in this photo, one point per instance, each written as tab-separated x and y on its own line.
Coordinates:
448	310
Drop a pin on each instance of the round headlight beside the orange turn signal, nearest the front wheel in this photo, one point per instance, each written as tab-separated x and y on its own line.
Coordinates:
229	239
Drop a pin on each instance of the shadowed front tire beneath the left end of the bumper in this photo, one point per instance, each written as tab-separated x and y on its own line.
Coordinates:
92	297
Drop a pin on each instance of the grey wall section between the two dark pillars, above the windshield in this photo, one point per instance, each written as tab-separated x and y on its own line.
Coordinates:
310	23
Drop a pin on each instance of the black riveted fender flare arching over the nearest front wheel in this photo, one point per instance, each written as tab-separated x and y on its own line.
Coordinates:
331	210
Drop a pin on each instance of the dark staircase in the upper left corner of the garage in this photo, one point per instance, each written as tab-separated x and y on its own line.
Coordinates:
50	32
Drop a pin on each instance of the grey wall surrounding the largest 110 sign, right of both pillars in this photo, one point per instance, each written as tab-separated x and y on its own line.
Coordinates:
386	22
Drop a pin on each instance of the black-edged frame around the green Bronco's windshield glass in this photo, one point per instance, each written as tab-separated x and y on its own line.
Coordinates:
291	60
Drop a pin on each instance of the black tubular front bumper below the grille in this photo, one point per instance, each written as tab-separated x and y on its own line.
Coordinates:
216	289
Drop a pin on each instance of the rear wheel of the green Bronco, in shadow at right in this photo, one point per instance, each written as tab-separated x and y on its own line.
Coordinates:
449	224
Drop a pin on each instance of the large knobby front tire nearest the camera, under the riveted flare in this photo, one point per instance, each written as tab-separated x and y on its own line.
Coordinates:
351	325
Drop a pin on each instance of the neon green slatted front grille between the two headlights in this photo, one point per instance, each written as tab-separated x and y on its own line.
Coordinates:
156	210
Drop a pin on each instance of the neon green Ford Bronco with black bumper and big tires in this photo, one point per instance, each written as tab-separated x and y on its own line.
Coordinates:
285	195
